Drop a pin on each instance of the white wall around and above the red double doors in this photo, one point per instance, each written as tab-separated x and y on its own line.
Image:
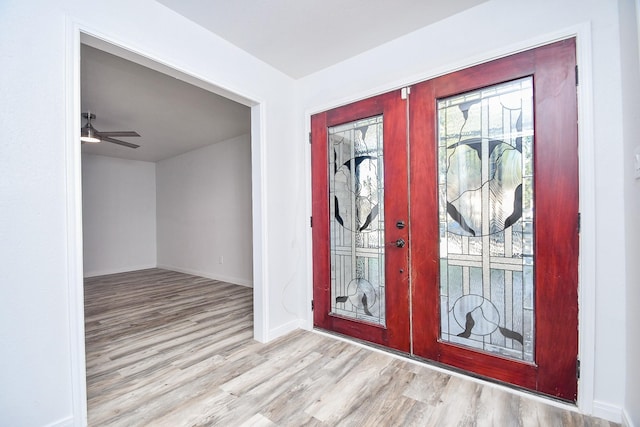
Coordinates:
496	28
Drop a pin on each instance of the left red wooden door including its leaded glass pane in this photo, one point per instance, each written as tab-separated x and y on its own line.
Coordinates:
360	212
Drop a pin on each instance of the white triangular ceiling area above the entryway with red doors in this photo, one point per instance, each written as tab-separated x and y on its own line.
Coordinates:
299	37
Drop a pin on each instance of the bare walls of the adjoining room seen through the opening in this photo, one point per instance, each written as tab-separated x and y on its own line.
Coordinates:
203	213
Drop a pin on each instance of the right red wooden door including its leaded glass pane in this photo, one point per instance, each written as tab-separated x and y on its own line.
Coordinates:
494	211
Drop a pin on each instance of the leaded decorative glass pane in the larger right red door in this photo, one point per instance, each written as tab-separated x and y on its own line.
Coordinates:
485	184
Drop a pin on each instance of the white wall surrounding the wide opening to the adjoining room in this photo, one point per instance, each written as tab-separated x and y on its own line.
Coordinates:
42	370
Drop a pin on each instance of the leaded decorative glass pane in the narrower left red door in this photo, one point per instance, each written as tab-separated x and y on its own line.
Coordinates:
356	206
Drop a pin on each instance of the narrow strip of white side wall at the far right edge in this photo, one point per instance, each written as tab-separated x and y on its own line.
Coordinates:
630	79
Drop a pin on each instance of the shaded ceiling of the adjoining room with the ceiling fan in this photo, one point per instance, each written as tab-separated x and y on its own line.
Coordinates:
171	116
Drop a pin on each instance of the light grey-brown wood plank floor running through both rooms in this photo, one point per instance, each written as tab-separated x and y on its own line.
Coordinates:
170	349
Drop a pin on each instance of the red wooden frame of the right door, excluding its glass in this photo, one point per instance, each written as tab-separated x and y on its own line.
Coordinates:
556	219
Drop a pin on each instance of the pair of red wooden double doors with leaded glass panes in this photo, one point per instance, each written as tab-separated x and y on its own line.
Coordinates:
480	273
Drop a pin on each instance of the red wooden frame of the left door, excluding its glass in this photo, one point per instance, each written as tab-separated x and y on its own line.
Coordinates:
396	333
